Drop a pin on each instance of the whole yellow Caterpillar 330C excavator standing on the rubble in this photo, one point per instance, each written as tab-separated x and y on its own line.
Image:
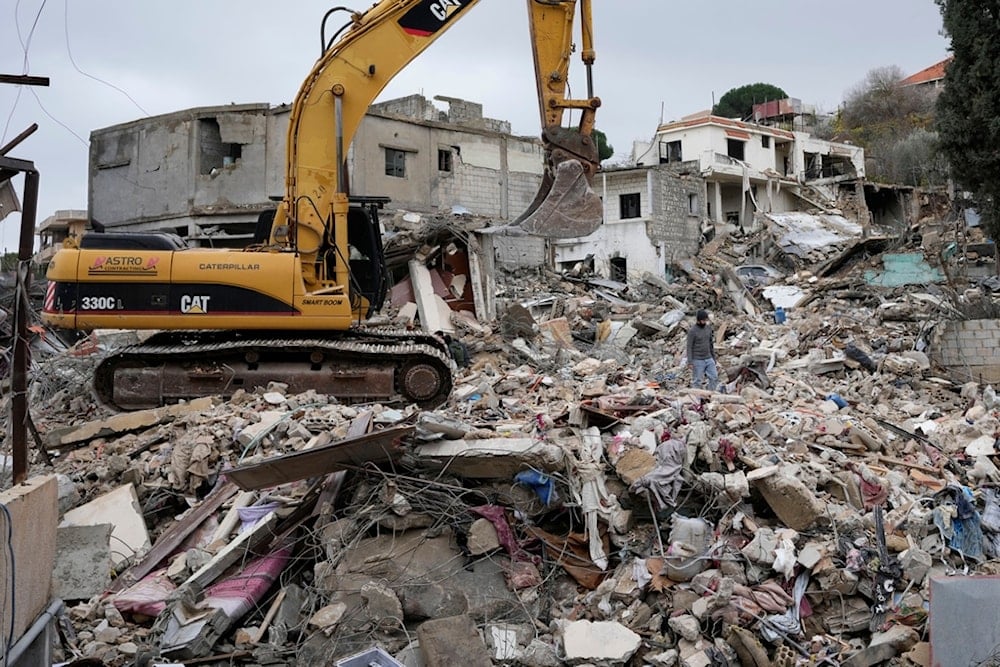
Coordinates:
291	307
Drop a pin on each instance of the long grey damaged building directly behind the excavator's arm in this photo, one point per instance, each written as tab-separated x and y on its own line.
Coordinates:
213	170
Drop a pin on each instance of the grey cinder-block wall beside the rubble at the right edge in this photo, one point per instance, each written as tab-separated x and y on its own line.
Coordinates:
970	349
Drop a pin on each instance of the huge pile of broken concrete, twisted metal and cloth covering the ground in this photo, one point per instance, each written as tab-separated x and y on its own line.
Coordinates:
575	502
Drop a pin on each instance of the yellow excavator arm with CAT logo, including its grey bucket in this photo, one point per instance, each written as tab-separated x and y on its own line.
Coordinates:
352	72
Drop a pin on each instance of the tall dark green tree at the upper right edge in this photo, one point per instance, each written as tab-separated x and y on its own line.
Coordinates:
968	109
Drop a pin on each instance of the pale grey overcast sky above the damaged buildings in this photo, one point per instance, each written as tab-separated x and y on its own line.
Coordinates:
113	61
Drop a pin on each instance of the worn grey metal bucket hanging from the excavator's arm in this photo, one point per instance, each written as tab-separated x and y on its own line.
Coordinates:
569	208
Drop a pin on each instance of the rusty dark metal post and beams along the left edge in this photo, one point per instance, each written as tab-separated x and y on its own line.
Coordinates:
10	167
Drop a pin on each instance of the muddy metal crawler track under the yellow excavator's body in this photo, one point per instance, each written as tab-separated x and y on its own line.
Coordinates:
356	367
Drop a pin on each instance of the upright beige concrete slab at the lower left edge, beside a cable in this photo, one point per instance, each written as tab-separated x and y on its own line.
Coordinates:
33	516
